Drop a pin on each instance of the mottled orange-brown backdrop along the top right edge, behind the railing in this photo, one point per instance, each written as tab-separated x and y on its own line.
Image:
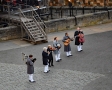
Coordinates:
80	2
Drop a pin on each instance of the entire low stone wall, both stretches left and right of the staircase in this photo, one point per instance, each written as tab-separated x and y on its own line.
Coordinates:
13	32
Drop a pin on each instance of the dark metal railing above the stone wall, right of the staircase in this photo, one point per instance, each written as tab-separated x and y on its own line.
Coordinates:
66	11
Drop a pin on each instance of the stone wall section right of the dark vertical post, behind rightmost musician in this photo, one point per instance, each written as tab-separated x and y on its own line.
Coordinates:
92	19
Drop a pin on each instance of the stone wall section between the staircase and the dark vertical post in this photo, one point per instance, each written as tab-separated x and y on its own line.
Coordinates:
60	24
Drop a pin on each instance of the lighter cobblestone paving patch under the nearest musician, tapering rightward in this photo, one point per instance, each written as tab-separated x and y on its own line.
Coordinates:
17	79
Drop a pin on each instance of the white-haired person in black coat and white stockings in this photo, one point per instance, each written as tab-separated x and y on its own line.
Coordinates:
45	55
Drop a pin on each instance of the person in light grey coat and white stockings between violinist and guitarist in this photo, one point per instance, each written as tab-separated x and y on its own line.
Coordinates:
57	47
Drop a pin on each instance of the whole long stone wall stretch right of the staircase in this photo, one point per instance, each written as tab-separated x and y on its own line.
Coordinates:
80	20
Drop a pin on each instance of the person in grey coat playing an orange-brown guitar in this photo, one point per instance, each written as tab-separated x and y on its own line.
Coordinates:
67	48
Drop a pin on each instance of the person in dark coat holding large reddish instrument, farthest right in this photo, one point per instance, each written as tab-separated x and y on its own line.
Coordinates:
79	39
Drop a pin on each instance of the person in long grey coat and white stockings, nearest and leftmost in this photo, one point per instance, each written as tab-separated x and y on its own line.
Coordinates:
30	68
